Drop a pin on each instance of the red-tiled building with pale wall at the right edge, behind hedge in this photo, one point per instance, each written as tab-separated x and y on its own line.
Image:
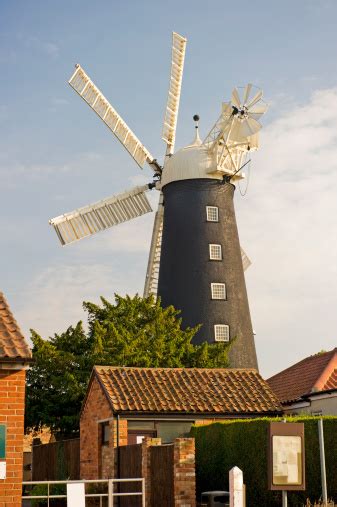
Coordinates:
309	386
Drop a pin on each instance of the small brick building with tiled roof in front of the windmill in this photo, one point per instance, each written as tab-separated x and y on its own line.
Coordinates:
124	405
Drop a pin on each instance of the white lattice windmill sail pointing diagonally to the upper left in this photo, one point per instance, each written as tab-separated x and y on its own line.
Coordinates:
89	92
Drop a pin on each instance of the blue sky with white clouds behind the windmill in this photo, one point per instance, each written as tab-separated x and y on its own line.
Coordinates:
56	155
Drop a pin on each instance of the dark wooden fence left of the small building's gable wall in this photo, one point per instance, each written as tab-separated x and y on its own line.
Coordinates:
56	461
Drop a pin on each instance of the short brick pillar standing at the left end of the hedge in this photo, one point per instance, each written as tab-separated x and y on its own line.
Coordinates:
184	472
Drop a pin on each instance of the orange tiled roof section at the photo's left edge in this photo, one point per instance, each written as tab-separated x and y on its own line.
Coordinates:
12	343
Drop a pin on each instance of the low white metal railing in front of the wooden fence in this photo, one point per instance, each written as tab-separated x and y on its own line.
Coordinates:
110	494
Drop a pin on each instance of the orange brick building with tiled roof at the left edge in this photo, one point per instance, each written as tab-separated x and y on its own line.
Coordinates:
14	358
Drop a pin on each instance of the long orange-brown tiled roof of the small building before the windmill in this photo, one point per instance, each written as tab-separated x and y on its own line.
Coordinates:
187	390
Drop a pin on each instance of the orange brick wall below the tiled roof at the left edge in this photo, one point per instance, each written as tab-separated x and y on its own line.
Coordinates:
12	405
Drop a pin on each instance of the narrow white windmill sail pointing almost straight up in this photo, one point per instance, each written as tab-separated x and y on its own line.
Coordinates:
172	107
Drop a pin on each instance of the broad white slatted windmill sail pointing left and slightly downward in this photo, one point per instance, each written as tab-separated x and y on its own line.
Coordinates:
102	215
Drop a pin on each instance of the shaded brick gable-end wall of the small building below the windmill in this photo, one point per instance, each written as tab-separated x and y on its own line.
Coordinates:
96	408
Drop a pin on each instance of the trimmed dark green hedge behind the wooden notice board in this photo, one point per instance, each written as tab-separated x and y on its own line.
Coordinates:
243	443
